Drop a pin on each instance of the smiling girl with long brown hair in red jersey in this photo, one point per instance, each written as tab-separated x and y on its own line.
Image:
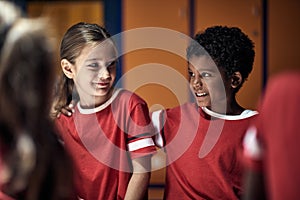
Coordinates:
109	133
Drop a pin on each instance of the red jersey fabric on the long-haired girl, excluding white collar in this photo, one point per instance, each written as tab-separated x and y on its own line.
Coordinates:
98	144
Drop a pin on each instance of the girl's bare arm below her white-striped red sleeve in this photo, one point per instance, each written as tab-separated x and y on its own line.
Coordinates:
138	184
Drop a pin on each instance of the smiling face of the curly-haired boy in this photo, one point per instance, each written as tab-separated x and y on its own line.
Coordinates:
208	83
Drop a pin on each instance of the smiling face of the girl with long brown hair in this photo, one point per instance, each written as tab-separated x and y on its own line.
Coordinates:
95	73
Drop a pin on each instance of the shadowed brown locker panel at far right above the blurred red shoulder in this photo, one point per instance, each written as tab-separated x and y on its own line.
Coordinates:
284	40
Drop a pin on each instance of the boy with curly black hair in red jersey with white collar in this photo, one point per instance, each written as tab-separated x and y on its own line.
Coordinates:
202	140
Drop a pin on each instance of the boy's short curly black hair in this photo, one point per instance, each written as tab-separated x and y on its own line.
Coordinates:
229	47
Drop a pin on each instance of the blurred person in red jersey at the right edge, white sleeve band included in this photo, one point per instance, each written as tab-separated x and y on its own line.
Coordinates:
271	144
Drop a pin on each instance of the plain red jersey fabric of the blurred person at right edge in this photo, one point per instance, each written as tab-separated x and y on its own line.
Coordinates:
279	133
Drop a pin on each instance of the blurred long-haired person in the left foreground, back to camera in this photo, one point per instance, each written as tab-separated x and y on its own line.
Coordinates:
33	164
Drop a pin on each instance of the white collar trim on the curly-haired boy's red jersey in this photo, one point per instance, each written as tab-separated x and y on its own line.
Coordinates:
245	114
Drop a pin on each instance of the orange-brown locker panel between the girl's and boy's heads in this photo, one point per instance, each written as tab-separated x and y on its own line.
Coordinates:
173	17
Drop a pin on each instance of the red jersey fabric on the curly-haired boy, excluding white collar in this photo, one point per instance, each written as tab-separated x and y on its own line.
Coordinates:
198	169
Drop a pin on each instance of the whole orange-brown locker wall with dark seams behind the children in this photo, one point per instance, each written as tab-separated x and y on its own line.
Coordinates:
272	24
